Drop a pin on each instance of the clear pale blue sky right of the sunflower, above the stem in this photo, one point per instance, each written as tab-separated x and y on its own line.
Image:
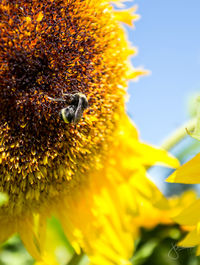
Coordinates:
168	39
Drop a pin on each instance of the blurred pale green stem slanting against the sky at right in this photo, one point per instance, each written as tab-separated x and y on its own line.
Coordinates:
178	135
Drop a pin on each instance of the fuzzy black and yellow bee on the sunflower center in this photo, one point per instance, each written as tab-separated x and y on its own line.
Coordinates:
76	106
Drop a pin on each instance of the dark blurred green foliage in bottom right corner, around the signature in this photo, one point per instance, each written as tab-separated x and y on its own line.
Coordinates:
159	247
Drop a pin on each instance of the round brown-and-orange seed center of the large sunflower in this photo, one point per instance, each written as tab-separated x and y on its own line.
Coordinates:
50	49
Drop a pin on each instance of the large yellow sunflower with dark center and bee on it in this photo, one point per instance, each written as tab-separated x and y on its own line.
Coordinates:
67	146
